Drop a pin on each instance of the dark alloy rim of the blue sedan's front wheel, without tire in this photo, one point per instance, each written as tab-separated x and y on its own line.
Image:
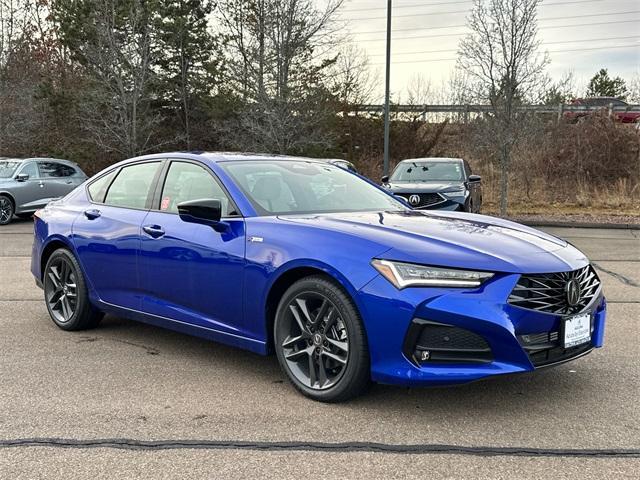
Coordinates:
314	340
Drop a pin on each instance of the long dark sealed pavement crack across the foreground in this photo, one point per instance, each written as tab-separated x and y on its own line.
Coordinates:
342	447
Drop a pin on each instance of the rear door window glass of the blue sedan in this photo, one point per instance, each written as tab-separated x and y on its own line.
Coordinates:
131	187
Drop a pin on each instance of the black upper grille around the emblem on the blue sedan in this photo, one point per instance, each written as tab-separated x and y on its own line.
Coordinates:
548	292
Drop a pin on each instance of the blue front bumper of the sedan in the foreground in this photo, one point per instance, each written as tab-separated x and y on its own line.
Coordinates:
512	339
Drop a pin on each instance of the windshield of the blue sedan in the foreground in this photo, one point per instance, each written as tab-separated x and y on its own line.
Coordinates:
294	187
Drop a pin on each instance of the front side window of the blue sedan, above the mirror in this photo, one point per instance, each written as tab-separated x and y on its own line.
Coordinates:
186	182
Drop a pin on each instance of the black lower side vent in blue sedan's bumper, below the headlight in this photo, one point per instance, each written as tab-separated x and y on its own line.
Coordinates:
431	342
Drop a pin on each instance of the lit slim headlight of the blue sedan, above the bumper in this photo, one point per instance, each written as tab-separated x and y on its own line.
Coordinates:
411	275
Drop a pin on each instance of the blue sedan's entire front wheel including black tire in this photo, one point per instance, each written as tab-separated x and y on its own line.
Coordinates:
328	331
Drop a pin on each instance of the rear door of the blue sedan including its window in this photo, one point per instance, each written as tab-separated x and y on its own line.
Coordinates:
107	234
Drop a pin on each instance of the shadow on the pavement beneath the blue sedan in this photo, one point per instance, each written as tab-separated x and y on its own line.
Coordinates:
511	394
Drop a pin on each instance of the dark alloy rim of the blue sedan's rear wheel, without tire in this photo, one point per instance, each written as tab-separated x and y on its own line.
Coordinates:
61	289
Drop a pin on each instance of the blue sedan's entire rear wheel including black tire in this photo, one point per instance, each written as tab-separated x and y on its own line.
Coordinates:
69	307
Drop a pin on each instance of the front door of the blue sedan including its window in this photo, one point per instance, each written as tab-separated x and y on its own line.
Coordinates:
190	272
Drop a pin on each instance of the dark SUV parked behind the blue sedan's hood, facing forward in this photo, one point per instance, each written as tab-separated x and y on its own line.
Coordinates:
436	183
